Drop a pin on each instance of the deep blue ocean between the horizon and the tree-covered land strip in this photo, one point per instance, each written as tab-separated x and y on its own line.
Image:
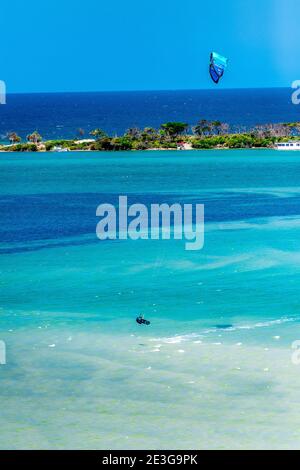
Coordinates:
59	115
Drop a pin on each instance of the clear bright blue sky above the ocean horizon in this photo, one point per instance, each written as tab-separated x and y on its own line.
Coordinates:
91	45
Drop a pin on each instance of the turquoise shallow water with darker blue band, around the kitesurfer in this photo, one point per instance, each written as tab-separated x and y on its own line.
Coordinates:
214	369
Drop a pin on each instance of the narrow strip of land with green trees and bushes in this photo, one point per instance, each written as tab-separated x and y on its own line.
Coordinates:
171	135
